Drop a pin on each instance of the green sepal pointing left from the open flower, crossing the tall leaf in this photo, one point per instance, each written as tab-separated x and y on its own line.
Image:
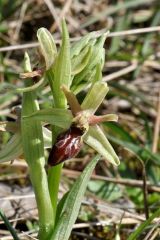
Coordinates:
58	117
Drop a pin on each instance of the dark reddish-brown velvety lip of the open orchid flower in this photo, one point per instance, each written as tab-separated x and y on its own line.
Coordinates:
67	146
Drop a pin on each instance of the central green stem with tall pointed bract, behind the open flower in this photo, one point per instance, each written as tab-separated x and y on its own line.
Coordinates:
59	74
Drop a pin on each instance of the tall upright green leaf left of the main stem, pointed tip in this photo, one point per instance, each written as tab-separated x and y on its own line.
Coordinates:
33	148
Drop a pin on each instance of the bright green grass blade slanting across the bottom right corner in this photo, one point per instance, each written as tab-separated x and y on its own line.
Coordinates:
141	228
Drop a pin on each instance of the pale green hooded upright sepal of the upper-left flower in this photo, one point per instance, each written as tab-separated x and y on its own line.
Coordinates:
47	45
